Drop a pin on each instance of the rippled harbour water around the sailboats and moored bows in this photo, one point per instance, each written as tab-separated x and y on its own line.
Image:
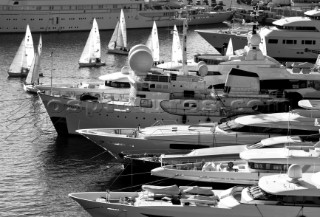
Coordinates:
38	169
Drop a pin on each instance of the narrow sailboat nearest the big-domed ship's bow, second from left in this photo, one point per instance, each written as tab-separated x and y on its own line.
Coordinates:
33	76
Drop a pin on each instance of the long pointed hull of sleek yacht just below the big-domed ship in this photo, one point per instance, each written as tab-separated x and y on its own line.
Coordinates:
161	141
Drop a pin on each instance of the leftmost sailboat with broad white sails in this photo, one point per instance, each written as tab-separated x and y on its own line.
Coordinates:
22	61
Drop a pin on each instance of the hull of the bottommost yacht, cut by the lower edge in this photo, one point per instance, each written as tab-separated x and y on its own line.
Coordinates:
100	208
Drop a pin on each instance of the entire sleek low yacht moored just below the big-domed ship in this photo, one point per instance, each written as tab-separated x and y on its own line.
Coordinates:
248	129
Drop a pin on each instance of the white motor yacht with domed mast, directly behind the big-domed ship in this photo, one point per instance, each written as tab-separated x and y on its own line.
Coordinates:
274	77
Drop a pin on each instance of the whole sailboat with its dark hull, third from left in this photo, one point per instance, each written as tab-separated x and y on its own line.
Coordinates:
91	55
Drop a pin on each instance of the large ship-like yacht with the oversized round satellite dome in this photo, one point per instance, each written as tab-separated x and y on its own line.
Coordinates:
109	108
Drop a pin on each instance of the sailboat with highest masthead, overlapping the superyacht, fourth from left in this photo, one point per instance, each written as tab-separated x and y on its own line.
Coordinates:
118	41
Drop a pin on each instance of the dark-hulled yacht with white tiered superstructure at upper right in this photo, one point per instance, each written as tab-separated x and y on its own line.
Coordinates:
289	38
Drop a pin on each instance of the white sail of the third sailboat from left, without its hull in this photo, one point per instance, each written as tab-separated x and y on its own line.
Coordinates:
91	49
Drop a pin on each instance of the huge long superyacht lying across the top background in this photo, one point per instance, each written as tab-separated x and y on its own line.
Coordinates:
78	15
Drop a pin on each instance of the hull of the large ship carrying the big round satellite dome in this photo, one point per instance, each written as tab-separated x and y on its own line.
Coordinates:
69	115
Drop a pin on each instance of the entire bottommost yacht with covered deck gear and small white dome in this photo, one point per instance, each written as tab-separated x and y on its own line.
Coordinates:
291	194
